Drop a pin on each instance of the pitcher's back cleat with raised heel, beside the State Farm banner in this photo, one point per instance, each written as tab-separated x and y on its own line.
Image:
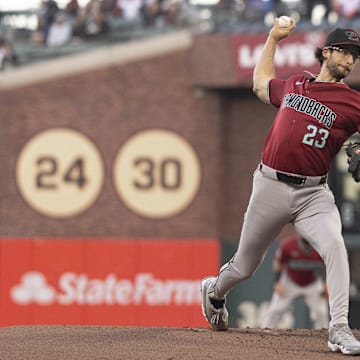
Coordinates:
213	310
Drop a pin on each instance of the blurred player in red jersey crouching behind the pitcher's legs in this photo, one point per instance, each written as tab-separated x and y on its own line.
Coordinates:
298	272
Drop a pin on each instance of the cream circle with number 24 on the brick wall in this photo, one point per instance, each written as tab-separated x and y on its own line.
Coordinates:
60	172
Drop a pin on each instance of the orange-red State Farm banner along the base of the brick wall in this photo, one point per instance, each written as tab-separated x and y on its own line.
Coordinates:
104	282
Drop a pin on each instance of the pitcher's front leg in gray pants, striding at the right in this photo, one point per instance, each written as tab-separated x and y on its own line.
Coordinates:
323	231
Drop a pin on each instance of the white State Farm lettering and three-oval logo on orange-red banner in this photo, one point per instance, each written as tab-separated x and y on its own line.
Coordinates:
79	289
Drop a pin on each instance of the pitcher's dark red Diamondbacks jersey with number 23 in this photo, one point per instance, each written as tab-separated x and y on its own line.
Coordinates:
314	120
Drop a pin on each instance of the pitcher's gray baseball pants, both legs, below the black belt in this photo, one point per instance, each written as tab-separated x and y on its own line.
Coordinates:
312	210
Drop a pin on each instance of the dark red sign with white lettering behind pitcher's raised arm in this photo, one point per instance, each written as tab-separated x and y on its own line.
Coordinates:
294	54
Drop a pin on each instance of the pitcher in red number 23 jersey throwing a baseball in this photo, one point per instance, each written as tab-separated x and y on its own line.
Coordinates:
316	115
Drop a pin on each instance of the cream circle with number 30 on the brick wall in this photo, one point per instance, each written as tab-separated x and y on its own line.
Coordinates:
157	173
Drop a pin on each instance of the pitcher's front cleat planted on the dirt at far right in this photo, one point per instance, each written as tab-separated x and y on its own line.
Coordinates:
342	339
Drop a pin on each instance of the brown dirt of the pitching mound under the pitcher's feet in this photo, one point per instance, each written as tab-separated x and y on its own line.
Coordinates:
113	343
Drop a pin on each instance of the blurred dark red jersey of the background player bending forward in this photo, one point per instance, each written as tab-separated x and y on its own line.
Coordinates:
301	267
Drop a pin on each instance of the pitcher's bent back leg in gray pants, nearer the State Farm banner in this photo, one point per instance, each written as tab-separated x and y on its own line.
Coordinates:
267	213
